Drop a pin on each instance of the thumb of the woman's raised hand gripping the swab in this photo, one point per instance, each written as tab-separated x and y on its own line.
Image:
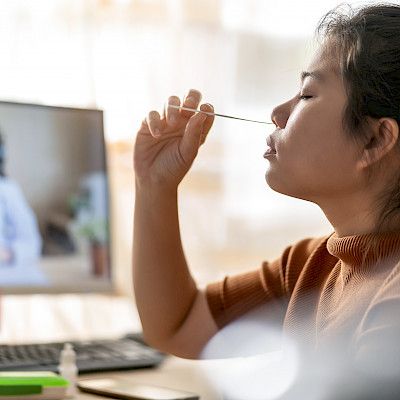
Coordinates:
190	142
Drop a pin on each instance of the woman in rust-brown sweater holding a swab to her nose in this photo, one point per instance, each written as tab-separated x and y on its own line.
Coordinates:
337	144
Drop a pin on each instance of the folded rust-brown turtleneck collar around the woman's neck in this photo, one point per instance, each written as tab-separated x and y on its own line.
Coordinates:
364	250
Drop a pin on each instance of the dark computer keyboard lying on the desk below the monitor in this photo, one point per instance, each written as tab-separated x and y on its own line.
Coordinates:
127	352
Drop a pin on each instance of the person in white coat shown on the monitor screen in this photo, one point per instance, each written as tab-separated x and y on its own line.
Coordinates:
20	240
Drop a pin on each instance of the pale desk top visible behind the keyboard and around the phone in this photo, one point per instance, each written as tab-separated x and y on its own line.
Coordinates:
53	318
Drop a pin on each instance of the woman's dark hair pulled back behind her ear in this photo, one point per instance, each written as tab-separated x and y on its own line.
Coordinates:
366	42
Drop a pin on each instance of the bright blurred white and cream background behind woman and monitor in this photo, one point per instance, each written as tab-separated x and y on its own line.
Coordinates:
127	56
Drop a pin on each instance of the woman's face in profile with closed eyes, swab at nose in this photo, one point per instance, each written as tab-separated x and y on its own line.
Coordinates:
315	160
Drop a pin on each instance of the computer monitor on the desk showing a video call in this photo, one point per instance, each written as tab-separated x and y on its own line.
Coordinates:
54	200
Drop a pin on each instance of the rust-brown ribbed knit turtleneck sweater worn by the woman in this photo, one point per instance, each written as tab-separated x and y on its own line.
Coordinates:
327	289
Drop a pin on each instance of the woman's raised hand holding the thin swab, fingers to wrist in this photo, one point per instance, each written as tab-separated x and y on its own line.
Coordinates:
166	146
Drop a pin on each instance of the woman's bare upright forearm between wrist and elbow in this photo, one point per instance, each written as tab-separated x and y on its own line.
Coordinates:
164	288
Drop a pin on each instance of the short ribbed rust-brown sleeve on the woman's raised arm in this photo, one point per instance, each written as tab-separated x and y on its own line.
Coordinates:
236	295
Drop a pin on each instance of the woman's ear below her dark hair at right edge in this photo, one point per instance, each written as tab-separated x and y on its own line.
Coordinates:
383	136
